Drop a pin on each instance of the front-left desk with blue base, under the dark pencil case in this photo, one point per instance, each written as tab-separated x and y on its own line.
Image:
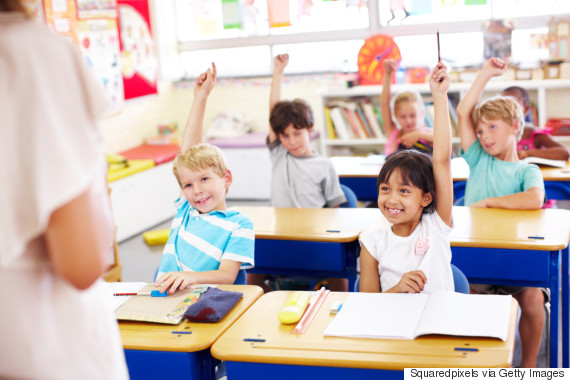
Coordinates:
152	350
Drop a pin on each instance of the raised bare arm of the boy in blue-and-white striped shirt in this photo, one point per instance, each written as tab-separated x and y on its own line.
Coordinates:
195	124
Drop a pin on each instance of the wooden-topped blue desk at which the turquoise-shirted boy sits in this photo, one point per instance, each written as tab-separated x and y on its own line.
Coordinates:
518	247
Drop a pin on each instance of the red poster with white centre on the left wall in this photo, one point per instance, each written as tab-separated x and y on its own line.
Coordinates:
138	57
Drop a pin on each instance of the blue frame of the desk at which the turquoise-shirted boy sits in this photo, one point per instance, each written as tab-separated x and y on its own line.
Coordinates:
524	268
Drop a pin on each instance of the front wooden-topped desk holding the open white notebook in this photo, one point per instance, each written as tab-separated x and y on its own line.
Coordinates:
311	355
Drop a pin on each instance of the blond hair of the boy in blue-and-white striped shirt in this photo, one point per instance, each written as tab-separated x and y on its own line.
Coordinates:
200	156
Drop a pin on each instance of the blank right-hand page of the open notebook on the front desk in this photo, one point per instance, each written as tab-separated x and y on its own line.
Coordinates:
466	315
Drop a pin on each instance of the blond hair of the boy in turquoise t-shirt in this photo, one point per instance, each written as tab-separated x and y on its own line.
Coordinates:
505	108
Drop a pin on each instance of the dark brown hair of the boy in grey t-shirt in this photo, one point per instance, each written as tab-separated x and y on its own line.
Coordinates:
297	112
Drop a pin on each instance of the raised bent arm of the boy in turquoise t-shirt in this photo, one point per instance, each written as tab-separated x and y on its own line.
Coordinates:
492	67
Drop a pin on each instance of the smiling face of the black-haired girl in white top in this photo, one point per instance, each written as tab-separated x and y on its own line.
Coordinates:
401	204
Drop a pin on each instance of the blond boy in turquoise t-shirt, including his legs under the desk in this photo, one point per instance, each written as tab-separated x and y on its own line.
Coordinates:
489	133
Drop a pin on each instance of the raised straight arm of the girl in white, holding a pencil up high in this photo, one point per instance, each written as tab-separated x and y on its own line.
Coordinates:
439	81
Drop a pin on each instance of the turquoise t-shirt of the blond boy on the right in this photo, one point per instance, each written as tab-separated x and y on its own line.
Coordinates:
491	177
